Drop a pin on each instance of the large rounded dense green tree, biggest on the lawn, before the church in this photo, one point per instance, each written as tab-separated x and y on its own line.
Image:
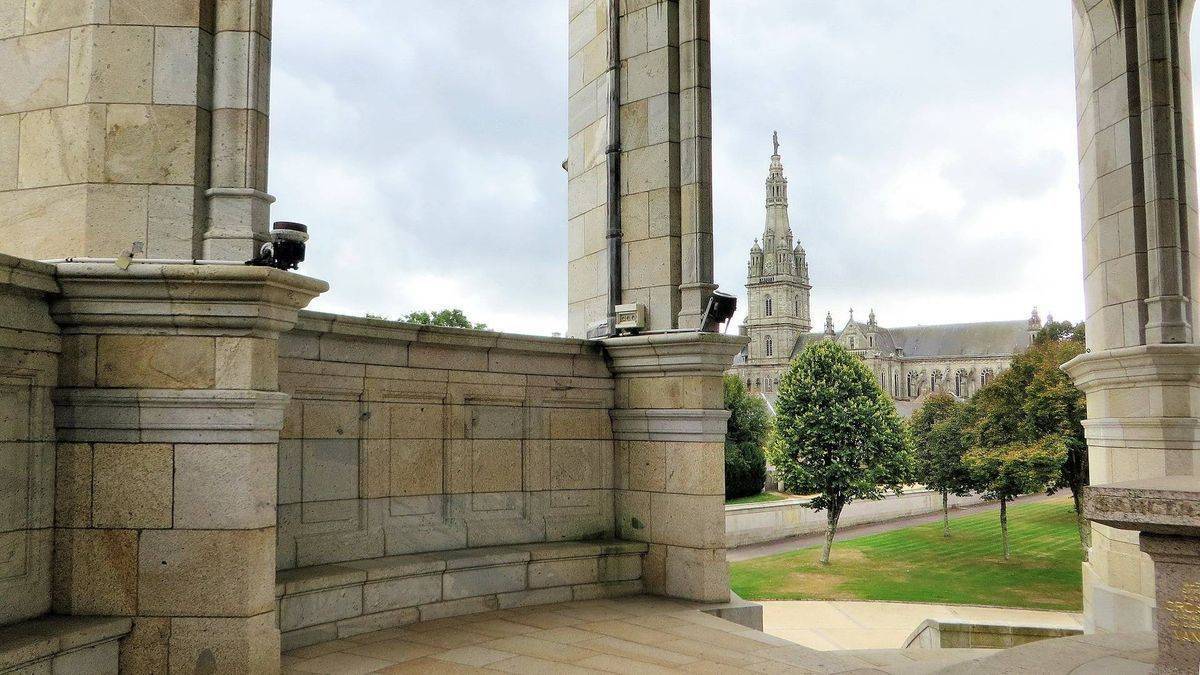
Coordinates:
837	434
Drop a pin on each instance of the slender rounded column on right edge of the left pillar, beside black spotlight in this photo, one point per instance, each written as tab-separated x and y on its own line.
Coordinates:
239	207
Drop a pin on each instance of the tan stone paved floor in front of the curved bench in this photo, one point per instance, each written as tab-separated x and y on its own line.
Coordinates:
639	635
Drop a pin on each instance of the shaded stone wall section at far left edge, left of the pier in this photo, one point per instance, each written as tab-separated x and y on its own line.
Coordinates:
29	349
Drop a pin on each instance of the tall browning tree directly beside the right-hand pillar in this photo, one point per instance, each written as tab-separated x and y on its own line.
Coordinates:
1035	401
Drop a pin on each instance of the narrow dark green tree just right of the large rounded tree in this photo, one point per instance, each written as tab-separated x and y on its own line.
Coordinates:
940	439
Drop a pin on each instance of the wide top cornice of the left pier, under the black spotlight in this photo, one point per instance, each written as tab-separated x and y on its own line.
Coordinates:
181	300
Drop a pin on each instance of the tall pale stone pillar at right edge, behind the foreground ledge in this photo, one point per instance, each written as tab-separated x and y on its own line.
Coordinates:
1142	374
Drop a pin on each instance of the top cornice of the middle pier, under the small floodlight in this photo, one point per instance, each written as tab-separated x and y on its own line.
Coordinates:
673	354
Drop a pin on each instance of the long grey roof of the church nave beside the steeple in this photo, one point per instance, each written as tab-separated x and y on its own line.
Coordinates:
992	338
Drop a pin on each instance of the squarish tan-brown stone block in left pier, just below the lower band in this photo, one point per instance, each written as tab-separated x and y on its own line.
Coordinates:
133	486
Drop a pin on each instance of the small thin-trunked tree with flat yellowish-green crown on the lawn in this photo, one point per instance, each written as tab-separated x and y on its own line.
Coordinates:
1007	473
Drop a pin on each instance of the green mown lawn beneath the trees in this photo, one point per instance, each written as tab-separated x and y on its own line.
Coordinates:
919	565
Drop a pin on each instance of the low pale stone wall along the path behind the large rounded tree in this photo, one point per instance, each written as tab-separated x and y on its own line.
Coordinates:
771	522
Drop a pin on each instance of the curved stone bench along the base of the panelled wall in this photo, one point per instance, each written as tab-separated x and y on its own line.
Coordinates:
329	602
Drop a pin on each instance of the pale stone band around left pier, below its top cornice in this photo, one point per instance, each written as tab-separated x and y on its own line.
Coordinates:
170	416
